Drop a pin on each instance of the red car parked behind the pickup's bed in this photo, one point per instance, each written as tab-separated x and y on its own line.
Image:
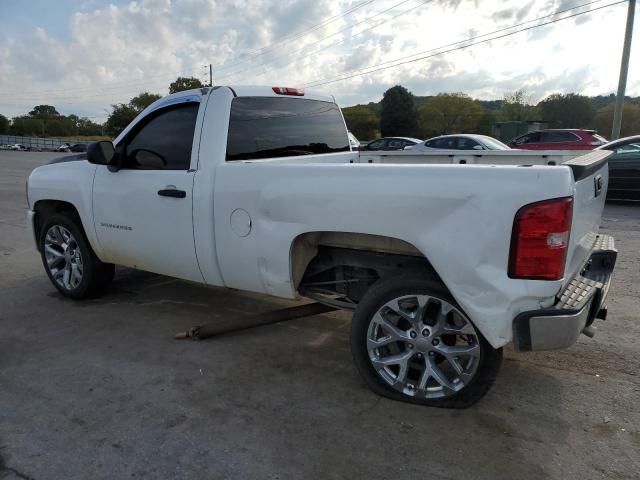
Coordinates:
558	139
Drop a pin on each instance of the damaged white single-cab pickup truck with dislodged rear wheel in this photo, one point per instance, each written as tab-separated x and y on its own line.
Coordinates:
444	257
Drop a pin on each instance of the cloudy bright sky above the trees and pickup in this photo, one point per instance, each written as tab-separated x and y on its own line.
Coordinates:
83	56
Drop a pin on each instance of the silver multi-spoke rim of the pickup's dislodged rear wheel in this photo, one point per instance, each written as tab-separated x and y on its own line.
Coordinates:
423	346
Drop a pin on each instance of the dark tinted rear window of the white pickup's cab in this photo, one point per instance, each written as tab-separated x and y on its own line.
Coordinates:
265	127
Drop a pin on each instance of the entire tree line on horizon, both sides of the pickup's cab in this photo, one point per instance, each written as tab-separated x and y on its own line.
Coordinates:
400	113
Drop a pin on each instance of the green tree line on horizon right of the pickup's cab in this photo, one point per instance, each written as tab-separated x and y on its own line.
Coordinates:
400	113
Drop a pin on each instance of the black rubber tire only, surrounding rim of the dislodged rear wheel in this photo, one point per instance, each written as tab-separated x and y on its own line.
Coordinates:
387	289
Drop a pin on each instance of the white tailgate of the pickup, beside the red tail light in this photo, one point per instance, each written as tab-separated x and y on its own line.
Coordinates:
591	175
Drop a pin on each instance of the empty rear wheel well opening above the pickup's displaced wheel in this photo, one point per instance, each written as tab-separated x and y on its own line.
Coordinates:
344	265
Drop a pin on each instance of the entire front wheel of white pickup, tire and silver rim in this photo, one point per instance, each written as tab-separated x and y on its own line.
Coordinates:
70	263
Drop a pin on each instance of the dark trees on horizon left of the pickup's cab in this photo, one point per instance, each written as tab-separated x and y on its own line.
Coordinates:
46	121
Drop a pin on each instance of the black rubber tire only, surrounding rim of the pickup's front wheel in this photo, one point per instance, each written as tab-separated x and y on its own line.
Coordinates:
96	275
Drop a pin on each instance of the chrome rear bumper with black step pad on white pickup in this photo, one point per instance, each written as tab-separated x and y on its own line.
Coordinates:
576	307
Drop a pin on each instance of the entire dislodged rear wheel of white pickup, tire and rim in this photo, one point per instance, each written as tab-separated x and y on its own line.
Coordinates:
411	342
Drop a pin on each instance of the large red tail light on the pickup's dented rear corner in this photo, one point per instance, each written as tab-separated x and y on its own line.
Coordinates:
540	240
